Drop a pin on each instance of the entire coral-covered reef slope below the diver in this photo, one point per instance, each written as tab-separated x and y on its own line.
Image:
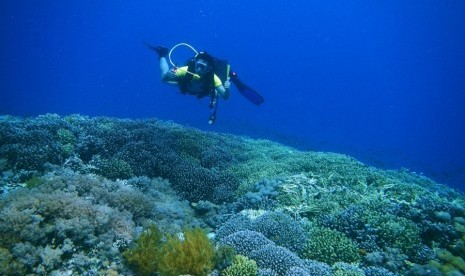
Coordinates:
77	191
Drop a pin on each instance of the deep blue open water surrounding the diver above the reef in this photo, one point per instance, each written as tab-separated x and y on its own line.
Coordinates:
383	81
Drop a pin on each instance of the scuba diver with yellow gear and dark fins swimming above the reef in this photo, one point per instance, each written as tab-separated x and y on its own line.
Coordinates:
201	76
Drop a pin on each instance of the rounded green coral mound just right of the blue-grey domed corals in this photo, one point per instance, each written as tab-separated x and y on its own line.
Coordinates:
330	246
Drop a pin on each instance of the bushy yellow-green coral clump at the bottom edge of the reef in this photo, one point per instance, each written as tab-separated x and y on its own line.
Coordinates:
171	255
